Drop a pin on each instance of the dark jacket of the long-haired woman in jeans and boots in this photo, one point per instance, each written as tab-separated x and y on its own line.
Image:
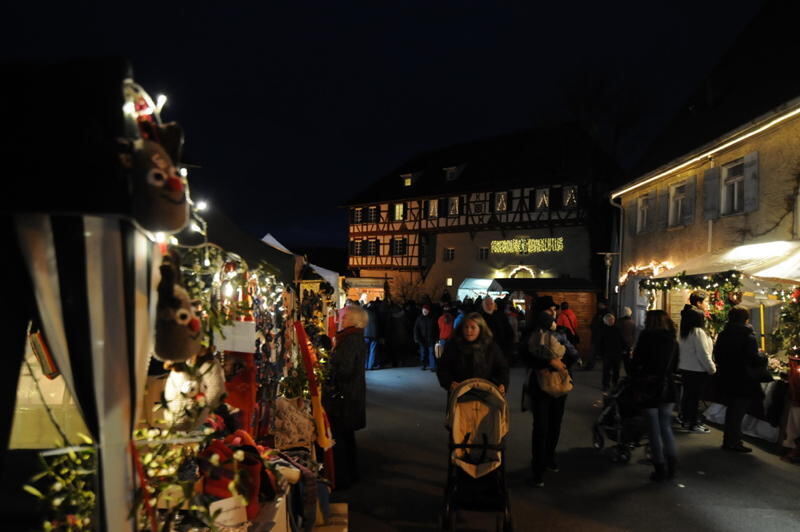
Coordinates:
655	360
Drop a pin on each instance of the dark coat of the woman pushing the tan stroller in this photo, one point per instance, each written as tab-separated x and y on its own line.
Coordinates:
464	360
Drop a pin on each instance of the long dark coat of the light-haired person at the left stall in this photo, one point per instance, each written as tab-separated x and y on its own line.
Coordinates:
346	390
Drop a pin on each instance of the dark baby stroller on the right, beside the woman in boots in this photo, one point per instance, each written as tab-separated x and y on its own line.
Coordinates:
620	421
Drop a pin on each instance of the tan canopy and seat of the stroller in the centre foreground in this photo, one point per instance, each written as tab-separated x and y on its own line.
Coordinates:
477	417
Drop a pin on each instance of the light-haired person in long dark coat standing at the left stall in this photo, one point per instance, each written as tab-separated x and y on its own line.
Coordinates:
346	394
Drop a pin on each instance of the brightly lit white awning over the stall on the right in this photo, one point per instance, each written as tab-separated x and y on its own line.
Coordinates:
777	261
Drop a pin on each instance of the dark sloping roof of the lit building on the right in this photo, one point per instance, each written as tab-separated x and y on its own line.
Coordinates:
755	76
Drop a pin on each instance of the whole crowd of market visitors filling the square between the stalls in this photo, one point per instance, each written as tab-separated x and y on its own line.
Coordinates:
666	365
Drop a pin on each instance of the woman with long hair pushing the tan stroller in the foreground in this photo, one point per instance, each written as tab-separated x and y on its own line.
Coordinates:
471	353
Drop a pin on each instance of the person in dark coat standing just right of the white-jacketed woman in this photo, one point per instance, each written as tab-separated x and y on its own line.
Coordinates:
736	350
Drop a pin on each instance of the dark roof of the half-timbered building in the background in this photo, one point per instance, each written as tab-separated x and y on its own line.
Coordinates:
552	155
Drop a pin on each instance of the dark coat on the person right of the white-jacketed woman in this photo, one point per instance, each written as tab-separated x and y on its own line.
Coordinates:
735	350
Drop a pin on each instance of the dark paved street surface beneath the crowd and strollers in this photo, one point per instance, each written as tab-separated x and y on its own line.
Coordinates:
403	457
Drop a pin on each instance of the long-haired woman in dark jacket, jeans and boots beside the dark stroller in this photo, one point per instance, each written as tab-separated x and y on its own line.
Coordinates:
655	360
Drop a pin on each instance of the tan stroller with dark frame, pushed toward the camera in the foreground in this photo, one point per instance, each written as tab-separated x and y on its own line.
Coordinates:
477	418
